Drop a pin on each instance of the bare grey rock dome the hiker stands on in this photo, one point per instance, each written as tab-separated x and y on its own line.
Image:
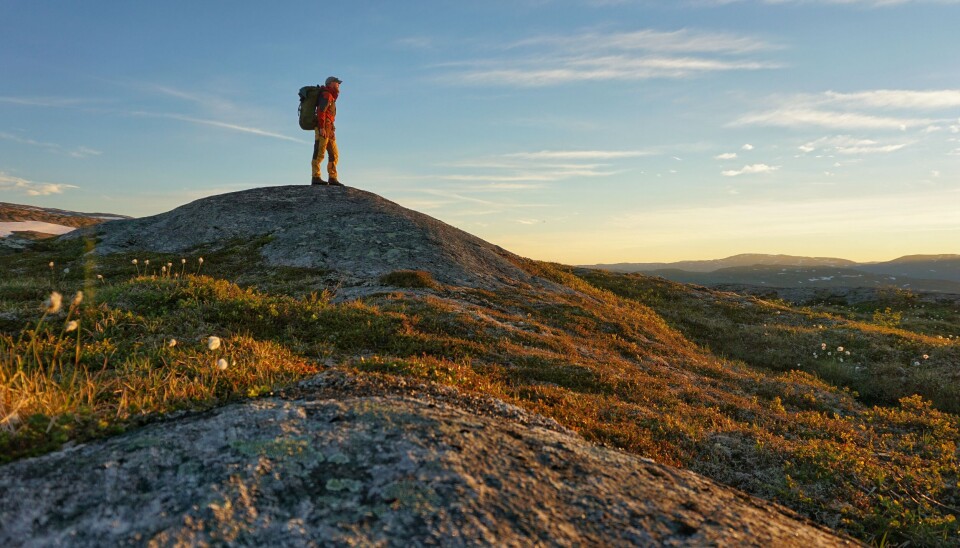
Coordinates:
354	232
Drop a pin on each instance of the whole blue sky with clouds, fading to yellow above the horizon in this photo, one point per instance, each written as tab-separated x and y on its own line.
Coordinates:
577	131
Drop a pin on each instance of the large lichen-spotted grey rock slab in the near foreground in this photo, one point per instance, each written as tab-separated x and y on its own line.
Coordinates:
387	469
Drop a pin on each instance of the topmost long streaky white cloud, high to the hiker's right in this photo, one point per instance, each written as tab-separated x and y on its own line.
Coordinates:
637	55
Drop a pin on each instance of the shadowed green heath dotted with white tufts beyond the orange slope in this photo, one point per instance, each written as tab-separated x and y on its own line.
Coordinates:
884	349
